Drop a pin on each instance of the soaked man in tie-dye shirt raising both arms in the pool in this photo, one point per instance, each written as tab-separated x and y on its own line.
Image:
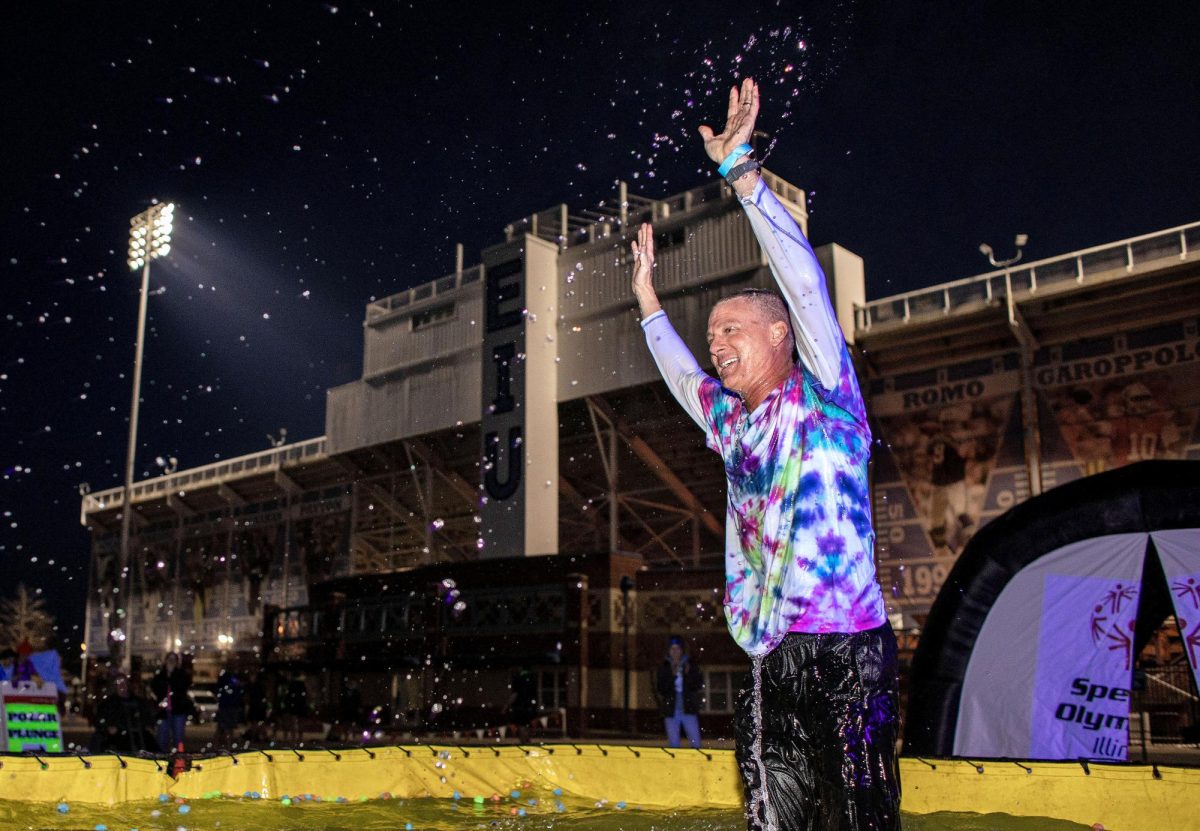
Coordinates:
817	730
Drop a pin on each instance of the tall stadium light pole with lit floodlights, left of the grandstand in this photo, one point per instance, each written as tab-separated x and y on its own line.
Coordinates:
149	240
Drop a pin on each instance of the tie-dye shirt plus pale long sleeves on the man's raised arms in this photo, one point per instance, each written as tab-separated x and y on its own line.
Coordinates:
800	541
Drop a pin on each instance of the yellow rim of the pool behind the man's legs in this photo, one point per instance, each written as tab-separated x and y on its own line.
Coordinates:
1121	798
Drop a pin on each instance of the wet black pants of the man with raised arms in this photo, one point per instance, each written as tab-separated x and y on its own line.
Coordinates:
830	715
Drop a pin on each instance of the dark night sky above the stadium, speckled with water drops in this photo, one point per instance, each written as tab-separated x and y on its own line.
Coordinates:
327	154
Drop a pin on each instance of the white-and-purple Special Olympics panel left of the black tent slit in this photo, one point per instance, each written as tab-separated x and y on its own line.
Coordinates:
1051	673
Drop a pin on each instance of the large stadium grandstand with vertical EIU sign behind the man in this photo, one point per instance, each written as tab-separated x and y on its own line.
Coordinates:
511	486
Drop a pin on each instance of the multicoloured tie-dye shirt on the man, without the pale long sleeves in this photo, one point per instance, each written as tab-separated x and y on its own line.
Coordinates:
800	540
